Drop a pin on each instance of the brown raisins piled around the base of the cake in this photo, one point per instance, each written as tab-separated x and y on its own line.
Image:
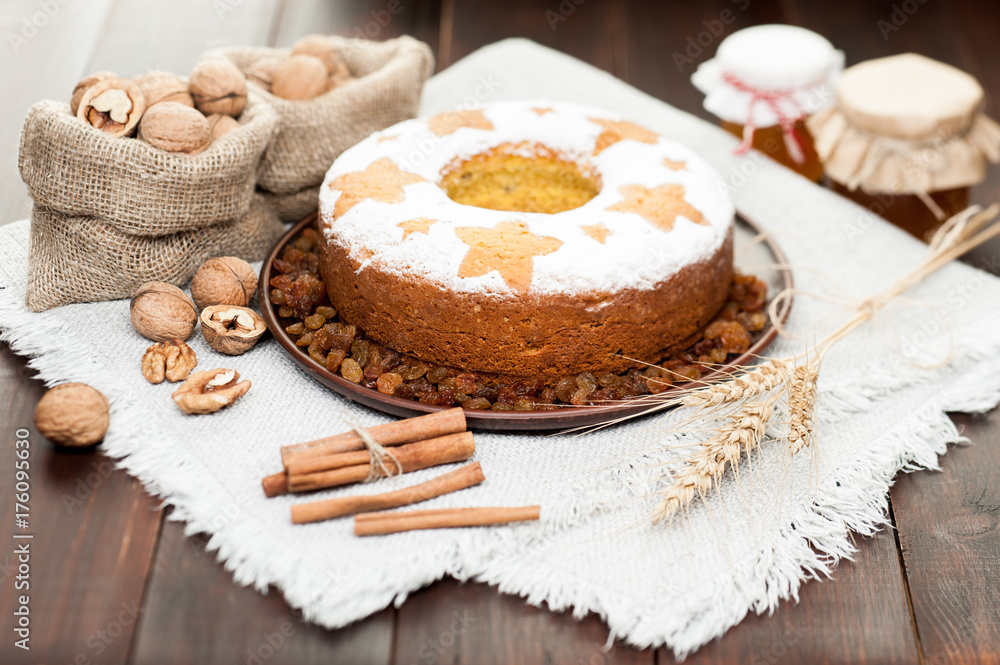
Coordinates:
299	296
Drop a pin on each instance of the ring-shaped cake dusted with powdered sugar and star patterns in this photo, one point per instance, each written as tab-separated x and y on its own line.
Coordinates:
612	244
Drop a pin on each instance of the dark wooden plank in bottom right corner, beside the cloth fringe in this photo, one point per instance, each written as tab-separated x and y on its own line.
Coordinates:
949	530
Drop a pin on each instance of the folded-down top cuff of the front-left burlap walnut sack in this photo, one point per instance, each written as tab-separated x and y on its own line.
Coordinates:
127	183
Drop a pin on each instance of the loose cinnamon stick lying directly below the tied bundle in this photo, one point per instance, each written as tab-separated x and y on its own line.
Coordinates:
317	511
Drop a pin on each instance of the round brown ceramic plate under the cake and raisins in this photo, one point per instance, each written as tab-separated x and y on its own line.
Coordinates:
751	258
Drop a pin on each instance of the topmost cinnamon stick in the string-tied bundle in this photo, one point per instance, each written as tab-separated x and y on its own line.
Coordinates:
431	426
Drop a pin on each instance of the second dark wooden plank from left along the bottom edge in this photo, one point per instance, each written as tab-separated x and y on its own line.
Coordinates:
195	614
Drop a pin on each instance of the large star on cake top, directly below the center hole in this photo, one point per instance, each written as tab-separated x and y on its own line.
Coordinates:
509	248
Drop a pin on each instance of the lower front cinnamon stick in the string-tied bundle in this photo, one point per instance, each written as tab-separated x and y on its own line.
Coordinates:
412	457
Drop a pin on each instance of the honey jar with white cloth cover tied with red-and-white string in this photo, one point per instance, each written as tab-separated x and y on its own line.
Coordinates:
764	82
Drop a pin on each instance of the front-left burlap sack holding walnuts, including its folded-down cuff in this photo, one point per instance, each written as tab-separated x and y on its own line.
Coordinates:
112	213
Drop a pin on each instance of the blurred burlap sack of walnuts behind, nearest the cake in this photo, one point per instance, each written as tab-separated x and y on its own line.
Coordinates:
390	77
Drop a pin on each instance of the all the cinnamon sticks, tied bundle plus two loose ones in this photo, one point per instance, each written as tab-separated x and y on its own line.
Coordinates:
410	445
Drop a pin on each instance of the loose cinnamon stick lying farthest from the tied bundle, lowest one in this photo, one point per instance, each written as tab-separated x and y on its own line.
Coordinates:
372	524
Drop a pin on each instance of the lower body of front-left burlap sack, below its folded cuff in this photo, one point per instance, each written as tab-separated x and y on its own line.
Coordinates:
84	259
